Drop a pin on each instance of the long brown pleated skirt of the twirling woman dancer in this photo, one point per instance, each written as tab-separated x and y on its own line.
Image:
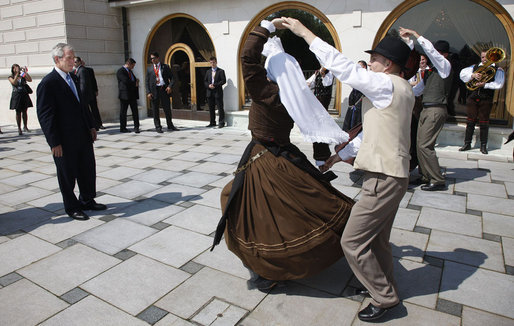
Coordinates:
283	223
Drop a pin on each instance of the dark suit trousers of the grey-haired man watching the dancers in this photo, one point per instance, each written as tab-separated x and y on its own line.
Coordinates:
76	164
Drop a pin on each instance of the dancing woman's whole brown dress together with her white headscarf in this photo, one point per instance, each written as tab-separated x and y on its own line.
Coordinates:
281	216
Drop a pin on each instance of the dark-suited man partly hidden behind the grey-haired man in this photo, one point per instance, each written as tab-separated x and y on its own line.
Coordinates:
89	89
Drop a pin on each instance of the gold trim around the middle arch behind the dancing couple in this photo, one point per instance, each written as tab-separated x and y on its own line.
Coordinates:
265	13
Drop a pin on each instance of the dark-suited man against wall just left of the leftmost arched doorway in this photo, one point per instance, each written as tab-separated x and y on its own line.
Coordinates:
128	94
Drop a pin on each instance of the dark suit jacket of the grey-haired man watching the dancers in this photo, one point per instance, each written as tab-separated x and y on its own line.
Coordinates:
63	119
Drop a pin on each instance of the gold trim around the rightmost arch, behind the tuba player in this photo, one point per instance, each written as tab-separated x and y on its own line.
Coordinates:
494	7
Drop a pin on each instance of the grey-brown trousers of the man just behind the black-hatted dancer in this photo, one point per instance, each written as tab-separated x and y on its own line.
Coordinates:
431	122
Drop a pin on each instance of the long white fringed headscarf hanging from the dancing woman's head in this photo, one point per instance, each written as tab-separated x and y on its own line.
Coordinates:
315	124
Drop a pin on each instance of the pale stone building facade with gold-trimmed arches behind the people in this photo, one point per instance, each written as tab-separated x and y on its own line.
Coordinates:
187	33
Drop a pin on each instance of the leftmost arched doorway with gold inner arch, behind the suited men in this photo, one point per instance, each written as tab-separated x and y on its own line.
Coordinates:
185	45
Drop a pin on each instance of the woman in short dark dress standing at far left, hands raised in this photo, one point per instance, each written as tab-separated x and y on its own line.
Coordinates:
20	99
